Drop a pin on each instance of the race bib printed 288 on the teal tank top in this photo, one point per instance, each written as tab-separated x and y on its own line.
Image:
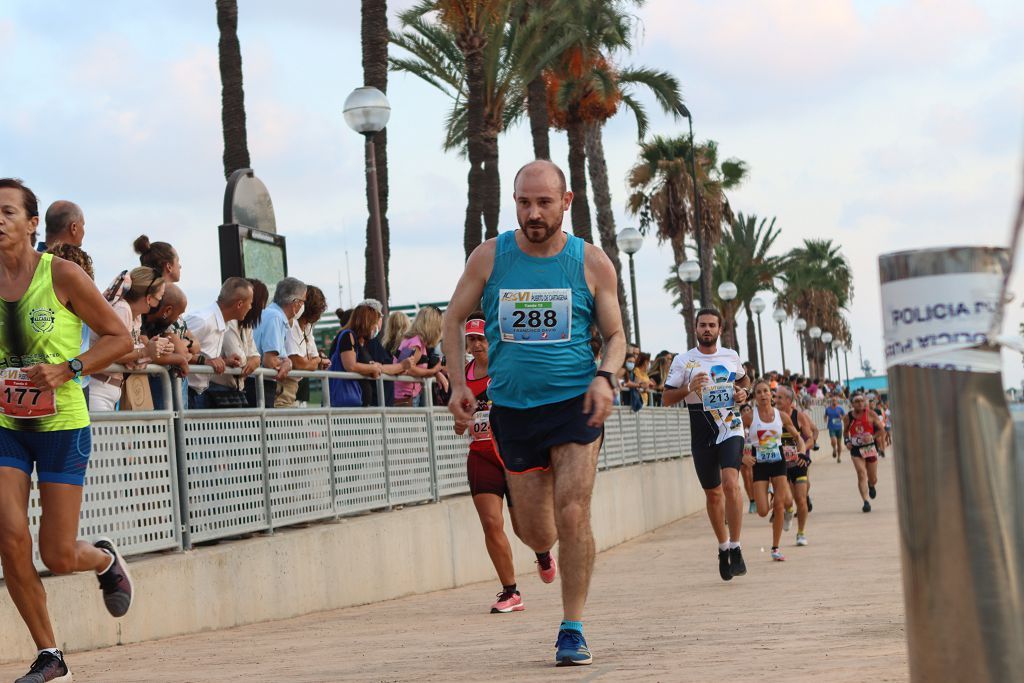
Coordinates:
536	317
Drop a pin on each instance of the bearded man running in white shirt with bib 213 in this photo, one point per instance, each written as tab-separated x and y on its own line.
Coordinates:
712	382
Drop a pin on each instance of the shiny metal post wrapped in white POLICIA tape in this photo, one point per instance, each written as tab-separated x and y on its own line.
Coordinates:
960	484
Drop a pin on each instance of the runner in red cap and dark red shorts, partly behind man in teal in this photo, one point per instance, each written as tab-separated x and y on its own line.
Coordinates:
486	472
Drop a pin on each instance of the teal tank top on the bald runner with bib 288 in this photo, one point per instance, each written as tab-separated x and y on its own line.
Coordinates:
539	314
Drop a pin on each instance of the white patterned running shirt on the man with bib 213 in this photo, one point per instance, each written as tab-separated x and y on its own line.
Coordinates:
721	367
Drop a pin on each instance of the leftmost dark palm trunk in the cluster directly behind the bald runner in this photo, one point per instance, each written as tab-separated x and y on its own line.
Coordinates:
476	129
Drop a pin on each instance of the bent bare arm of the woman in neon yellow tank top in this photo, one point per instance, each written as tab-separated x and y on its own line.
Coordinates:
79	294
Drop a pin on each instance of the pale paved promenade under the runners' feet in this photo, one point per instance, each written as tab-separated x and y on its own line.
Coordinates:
658	612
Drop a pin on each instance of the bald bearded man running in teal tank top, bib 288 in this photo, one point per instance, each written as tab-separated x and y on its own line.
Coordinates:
542	289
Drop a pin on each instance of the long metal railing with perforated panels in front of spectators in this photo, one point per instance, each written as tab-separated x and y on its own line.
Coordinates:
167	480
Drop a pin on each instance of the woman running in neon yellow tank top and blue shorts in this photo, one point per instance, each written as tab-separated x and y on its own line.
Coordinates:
44	420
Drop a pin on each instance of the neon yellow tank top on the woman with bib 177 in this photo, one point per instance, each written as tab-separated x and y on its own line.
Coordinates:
38	329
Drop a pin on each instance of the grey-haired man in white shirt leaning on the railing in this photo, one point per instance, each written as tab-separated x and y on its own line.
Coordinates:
209	325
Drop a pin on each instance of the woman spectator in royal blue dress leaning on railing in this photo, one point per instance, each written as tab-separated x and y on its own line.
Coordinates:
352	356
